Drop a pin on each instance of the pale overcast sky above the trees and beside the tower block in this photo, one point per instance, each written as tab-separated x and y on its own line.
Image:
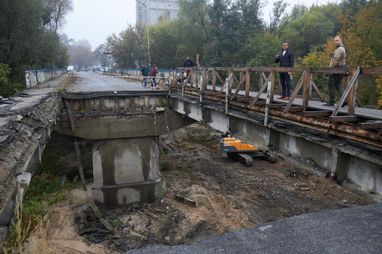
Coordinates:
94	20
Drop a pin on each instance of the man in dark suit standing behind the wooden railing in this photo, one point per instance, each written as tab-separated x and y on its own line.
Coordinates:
286	59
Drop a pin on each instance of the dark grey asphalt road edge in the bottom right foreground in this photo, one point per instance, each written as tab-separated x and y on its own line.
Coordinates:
351	231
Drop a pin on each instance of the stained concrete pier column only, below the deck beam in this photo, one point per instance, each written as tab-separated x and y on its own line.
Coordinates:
126	171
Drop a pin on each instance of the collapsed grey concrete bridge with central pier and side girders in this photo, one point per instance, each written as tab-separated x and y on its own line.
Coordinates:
123	126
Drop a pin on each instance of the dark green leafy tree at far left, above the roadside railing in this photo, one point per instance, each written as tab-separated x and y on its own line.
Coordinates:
26	41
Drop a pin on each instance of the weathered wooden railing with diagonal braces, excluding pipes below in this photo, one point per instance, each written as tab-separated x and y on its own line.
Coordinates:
240	79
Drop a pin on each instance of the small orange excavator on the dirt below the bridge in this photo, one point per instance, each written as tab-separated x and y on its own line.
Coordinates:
243	152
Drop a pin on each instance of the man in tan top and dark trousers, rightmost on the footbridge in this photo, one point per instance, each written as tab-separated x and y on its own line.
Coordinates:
338	59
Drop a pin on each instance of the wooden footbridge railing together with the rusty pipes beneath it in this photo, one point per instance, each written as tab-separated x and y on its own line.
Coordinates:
254	88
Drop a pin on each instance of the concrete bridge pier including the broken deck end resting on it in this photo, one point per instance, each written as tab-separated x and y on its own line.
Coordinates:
123	128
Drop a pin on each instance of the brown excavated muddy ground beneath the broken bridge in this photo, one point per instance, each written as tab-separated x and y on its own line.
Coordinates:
205	195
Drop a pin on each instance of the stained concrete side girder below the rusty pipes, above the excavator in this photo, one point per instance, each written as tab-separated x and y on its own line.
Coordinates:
359	164
